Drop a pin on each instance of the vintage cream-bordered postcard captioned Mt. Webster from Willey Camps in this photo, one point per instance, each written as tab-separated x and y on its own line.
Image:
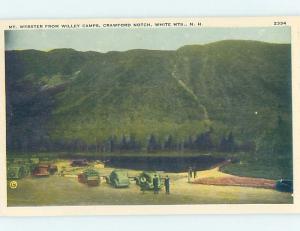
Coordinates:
150	116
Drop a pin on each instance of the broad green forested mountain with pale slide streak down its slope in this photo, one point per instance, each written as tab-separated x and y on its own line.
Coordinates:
69	98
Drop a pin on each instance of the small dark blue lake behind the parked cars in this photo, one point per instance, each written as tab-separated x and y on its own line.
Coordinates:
164	163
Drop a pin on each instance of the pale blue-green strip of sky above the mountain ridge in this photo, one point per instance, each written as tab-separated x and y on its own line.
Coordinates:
121	39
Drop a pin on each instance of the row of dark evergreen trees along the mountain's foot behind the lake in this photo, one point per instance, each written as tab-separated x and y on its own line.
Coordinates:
202	142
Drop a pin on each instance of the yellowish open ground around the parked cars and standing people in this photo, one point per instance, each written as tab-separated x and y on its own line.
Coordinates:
57	190
